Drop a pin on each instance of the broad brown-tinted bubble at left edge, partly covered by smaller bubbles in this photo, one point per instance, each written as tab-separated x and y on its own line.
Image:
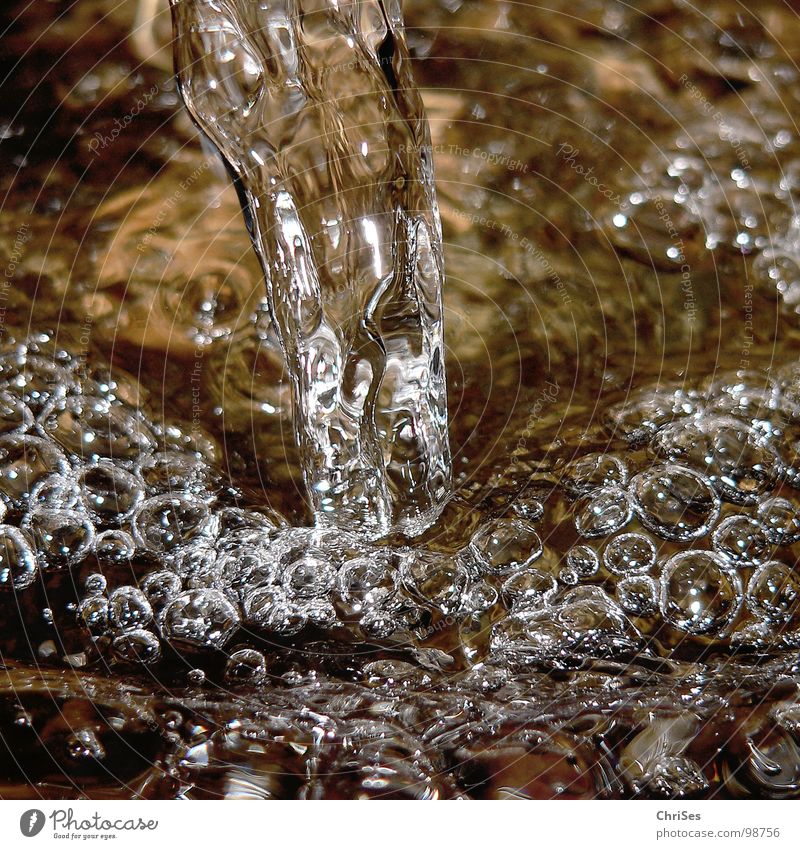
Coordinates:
24	461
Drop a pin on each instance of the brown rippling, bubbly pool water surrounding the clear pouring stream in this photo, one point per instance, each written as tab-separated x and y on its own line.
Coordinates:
609	604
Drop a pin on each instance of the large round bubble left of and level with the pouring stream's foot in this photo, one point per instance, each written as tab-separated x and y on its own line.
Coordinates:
163	523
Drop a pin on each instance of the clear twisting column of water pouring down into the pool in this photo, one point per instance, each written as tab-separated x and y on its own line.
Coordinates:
313	107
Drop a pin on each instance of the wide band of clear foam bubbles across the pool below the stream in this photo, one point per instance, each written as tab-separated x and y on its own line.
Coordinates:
685	539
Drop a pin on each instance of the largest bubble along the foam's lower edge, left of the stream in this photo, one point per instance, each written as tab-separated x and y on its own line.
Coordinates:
199	617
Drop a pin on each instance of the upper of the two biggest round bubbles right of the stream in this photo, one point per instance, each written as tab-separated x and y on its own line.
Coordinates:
674	502
